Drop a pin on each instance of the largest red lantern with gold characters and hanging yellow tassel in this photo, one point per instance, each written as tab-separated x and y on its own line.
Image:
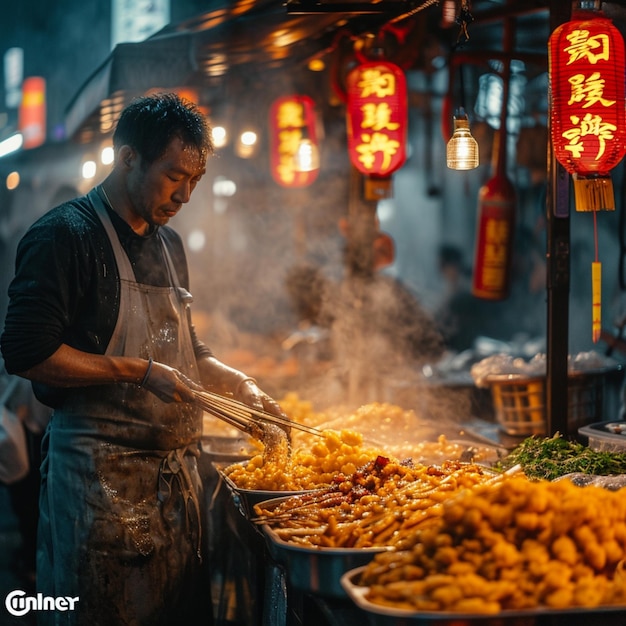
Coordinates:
588	119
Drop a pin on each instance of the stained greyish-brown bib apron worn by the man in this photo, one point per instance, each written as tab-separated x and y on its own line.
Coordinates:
120	520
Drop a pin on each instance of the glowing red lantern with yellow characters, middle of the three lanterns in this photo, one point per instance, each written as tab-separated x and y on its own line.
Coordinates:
377	118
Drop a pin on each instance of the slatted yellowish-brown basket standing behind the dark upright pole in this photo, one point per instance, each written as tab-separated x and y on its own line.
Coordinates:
520	402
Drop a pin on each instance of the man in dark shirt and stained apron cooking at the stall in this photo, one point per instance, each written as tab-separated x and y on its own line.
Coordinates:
99	321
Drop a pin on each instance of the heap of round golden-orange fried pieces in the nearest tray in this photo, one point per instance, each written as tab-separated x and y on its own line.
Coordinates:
571	555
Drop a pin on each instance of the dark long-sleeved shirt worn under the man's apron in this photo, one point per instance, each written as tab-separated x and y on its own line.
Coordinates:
66	284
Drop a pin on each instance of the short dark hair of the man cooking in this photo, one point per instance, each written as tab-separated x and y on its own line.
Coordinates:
149	124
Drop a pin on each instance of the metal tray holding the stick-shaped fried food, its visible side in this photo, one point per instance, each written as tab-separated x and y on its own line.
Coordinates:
316	570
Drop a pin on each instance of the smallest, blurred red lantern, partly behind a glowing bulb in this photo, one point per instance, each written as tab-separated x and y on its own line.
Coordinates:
292	121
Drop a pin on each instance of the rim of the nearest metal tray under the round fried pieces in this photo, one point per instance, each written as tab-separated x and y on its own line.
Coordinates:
379	615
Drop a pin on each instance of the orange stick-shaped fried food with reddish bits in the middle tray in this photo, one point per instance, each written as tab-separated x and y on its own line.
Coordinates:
380	505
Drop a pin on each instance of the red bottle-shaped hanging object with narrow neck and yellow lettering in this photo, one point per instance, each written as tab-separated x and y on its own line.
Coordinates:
495	227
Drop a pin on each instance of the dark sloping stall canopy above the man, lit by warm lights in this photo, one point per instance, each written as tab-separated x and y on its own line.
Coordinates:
269	36
